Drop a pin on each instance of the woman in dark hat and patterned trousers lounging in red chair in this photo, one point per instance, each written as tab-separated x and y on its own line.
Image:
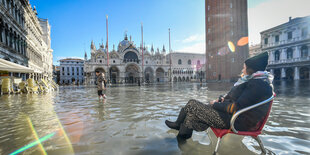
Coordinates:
255	85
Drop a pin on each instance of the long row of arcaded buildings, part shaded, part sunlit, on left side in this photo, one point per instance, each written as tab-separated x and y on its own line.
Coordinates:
25	38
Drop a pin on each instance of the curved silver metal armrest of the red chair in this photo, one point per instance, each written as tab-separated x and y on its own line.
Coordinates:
234	117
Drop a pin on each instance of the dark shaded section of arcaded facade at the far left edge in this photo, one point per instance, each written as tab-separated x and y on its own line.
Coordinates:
13	32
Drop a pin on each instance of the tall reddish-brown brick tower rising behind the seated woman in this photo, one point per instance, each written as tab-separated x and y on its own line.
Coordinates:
226	21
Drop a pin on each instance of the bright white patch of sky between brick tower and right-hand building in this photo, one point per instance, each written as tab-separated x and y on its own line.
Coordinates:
273	13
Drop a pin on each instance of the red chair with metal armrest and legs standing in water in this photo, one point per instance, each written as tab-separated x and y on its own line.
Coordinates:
219	133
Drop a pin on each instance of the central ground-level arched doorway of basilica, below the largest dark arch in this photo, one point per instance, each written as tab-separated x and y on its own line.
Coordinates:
132	73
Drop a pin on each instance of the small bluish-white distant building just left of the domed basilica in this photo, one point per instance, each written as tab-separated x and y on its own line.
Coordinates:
71	71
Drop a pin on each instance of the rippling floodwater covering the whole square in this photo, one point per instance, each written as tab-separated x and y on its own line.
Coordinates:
131	121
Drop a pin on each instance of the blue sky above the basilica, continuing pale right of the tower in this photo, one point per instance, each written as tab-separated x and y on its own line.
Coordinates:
75	23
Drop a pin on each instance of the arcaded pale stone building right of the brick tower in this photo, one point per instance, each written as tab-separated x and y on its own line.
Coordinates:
288	47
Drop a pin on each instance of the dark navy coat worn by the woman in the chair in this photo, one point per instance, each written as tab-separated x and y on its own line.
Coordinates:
242	96
